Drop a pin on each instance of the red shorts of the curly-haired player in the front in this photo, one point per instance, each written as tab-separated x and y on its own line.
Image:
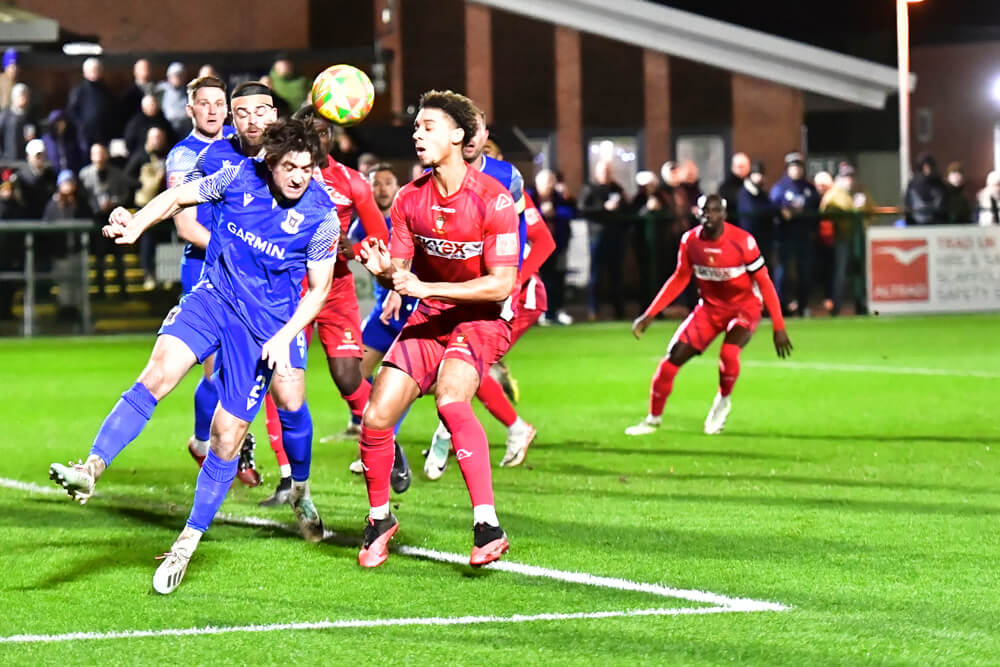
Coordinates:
429	339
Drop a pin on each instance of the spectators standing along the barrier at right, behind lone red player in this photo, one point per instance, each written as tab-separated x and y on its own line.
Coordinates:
811	231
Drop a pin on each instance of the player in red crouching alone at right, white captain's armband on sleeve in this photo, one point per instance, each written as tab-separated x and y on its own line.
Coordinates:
731	278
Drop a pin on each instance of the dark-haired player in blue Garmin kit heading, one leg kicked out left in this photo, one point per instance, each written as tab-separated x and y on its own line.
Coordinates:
275	227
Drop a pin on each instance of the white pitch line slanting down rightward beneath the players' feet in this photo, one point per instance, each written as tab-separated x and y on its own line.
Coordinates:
704	597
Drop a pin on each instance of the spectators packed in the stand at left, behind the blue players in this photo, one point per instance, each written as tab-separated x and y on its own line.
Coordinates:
103	148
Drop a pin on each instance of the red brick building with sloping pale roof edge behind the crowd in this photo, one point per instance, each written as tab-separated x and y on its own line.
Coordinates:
565	73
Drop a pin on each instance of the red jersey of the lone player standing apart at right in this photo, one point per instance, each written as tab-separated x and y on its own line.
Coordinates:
721	268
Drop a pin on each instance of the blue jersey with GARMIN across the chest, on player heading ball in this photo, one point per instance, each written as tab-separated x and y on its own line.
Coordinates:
263	247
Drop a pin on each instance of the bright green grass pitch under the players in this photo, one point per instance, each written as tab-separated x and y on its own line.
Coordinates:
856	484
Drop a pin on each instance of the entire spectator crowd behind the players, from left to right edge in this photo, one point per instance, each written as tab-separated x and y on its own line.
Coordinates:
106	148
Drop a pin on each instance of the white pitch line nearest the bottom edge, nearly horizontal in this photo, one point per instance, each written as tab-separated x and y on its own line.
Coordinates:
362	623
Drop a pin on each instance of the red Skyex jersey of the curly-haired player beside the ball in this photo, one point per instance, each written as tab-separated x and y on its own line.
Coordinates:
455	239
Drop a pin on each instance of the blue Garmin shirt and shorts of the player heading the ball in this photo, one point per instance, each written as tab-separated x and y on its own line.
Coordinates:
262	249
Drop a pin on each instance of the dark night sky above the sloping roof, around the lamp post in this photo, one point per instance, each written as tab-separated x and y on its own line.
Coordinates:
865	28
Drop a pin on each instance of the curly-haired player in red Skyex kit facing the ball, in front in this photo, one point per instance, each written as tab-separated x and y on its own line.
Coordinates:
455	247
